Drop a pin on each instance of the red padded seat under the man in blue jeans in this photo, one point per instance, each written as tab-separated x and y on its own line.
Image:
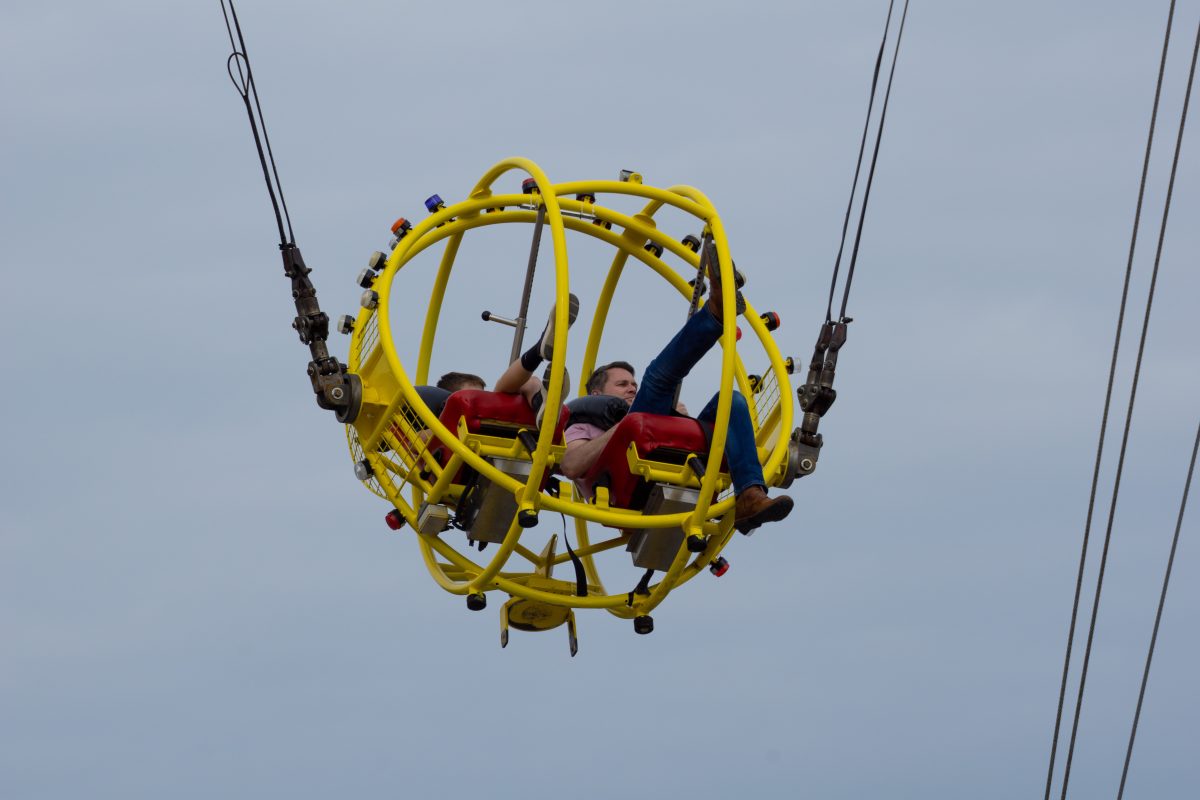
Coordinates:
669	440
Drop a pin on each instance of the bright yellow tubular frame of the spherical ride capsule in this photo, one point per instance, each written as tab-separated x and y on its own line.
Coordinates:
454	572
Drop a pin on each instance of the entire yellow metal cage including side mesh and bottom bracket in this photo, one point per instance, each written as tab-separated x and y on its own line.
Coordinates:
394	429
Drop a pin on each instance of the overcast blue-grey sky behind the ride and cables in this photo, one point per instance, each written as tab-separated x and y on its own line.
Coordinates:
199	600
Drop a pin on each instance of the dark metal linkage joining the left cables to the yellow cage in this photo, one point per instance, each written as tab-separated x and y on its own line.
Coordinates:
337	389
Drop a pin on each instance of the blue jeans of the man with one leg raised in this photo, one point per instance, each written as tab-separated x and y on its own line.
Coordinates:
668	371
